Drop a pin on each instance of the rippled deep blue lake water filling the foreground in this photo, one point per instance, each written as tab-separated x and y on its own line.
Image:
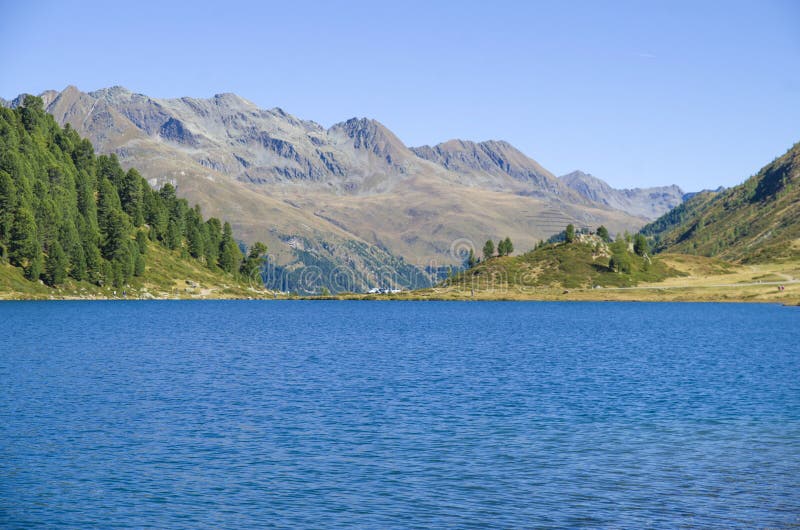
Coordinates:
406	414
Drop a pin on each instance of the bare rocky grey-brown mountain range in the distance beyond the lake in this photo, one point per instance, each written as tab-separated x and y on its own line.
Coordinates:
349	206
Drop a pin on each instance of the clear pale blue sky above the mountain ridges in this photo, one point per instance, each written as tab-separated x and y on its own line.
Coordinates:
638	93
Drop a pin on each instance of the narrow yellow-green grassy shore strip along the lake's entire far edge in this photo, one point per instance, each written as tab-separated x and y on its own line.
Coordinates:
761	283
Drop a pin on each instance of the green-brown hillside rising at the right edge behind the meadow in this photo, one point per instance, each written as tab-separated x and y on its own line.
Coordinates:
756	221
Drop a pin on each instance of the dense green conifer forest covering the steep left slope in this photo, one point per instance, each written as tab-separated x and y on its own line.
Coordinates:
65	212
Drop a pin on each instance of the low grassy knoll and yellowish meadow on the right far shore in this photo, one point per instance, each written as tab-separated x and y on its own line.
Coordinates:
578	273
